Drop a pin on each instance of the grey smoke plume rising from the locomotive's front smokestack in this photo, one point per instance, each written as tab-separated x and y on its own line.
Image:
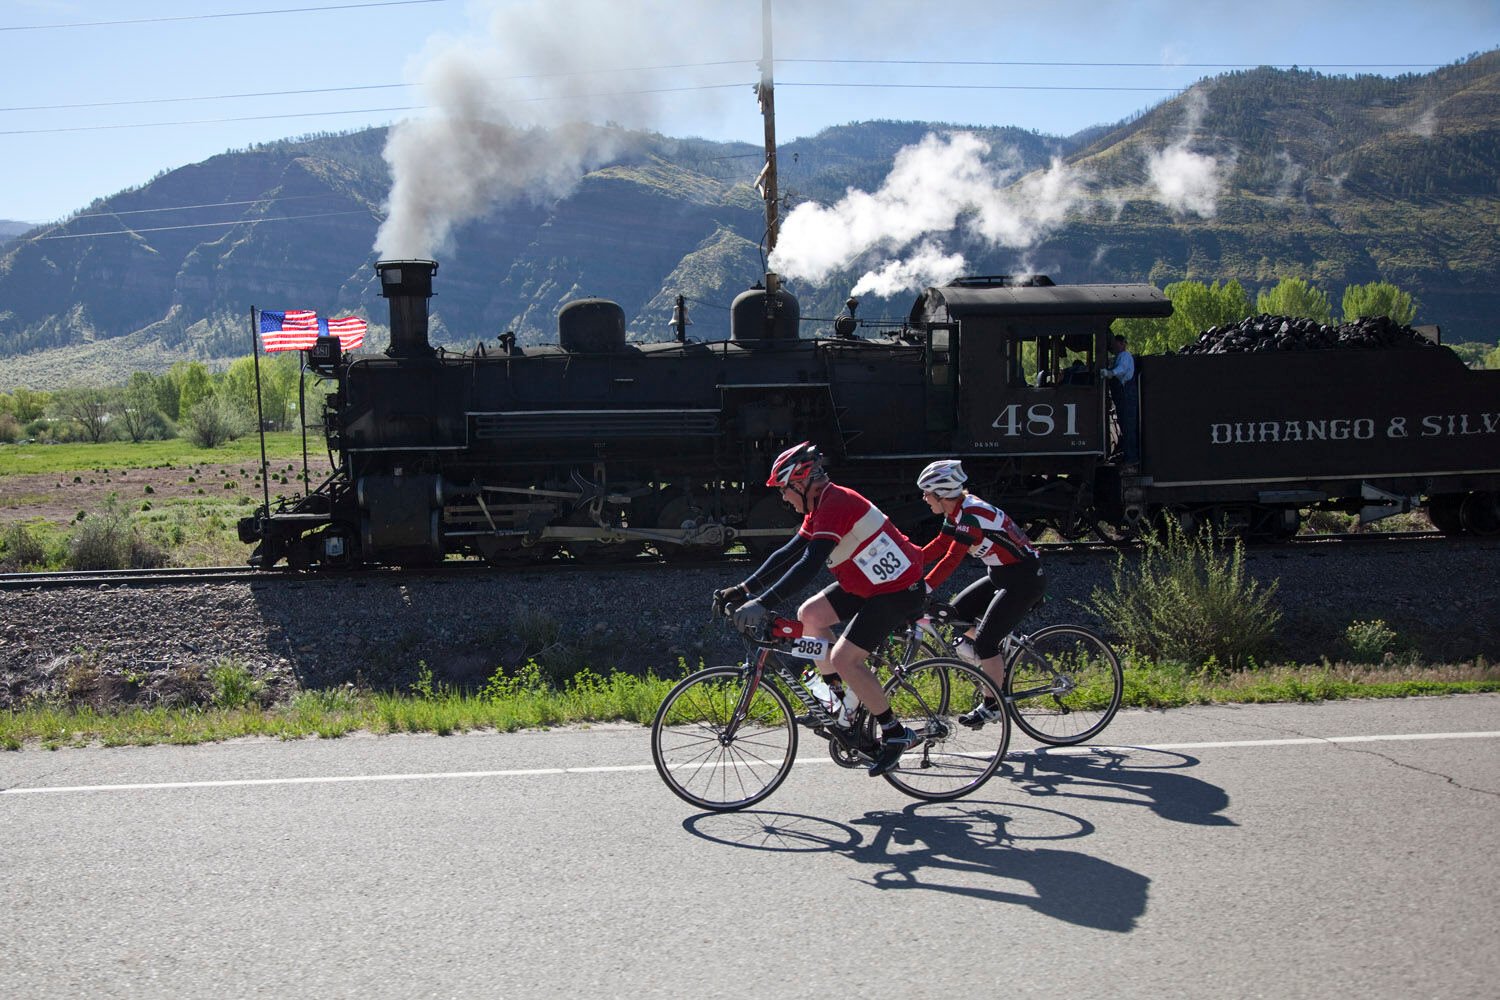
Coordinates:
509	109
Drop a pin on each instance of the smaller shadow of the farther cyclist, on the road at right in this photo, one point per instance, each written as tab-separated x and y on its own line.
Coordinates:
1121	774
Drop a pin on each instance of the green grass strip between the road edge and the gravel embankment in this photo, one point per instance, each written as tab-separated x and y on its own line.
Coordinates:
509	704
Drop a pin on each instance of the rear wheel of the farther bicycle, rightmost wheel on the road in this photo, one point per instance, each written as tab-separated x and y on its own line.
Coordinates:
1064	686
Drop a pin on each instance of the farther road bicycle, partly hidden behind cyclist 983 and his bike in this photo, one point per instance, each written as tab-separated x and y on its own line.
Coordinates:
1063	683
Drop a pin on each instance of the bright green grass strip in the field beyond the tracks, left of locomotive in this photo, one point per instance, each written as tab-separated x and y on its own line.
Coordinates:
20	460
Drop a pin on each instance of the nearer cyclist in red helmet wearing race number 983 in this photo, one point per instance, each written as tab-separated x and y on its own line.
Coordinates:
878	585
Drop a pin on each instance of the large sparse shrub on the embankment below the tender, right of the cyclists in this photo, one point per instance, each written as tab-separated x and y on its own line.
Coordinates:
1189	599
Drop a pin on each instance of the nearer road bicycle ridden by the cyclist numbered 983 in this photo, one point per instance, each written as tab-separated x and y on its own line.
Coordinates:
727	737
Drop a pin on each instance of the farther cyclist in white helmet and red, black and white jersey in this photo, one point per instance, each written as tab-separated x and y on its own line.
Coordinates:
1013	579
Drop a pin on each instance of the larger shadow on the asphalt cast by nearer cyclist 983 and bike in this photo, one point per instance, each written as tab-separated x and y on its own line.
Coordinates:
970	849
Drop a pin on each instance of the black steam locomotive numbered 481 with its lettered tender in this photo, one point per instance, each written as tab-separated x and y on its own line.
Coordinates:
605	449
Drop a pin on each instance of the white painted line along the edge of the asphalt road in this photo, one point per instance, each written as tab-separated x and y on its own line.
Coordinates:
529	773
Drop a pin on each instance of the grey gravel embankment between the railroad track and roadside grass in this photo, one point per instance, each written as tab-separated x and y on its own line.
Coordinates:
160	645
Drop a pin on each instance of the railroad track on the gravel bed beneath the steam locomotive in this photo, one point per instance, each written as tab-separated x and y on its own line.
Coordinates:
188	576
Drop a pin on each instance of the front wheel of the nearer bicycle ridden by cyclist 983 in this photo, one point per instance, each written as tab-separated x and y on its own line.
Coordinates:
721	746
